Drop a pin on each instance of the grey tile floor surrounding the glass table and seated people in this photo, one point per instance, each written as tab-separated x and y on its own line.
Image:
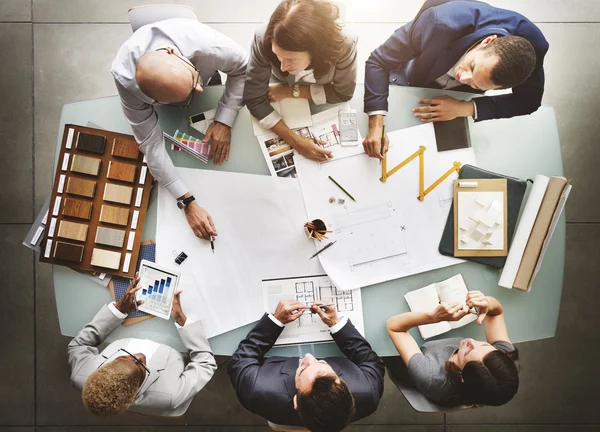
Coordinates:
54	51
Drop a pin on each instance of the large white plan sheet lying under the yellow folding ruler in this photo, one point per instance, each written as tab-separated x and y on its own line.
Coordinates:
388	233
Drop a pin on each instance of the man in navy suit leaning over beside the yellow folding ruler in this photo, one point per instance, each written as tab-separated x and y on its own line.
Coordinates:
463	46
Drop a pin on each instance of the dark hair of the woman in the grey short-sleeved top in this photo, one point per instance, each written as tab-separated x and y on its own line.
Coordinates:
493	381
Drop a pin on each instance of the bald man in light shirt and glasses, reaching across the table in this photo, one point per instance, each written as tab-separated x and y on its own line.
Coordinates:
169	62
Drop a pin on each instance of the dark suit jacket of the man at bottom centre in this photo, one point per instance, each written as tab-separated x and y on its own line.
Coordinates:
267	386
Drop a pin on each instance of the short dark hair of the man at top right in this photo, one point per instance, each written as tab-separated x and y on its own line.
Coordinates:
516	60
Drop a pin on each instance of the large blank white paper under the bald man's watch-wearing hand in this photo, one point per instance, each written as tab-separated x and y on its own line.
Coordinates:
259	220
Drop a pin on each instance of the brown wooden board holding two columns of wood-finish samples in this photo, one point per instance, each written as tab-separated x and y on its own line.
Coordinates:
97	218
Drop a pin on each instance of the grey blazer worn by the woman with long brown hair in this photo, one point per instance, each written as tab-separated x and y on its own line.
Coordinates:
339	83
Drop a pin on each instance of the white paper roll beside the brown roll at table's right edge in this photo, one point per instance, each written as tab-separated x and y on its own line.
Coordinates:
517	248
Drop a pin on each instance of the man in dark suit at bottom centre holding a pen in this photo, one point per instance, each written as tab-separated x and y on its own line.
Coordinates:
322	395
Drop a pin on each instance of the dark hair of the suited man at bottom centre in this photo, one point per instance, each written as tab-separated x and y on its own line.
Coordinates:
328	406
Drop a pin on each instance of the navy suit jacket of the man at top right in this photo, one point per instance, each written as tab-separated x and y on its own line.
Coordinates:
430	45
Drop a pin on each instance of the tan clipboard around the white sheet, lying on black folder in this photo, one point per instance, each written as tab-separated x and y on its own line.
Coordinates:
483	185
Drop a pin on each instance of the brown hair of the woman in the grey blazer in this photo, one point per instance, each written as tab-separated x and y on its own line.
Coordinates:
306	25
